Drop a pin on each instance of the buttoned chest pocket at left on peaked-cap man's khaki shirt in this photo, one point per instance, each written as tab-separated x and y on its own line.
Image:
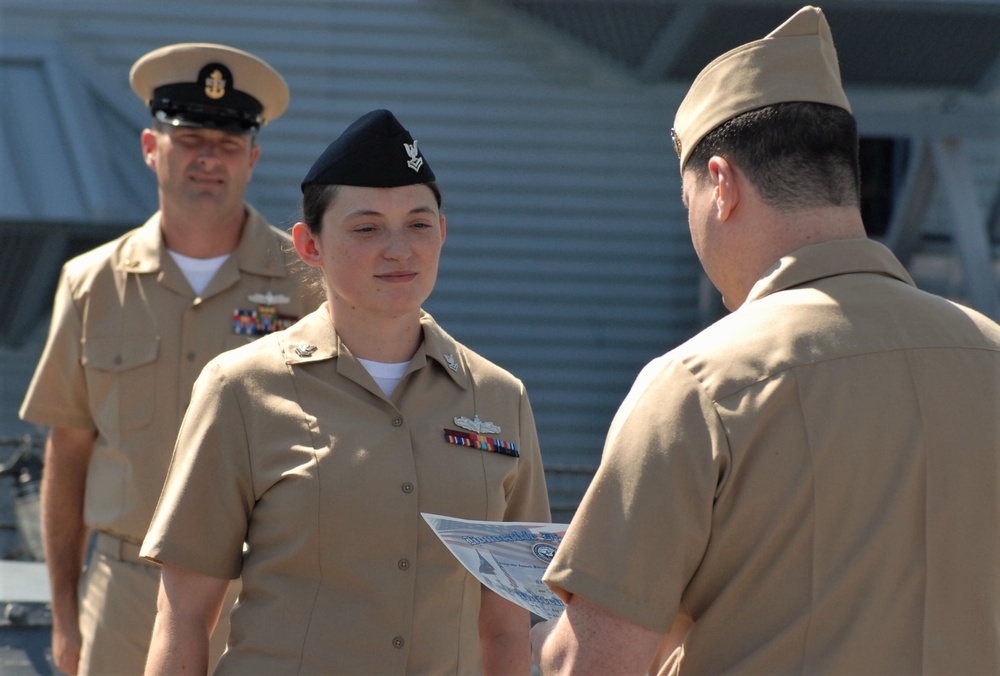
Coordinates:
121	381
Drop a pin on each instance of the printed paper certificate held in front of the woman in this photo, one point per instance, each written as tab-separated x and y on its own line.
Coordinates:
508	557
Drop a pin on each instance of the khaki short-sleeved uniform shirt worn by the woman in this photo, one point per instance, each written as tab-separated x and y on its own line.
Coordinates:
296	450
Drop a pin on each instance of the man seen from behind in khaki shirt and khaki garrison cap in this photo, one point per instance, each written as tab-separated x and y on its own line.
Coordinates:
756	511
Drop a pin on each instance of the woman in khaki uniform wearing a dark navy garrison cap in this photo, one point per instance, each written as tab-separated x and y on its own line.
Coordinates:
323	444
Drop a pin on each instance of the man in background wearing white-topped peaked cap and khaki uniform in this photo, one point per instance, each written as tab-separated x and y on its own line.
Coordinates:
134	322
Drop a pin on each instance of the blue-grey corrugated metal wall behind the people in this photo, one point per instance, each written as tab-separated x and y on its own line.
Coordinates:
567	260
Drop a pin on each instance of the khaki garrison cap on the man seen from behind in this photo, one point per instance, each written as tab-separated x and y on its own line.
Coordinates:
795	62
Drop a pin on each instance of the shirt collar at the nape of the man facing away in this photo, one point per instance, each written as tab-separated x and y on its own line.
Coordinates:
828	259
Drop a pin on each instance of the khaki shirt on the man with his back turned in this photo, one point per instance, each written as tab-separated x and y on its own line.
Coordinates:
815	479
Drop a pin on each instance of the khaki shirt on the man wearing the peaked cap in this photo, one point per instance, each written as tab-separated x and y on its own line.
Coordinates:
128	338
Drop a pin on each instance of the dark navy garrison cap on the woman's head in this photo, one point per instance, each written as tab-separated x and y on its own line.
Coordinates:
374	152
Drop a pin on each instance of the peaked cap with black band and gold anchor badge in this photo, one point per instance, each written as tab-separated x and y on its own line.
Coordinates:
196	84
